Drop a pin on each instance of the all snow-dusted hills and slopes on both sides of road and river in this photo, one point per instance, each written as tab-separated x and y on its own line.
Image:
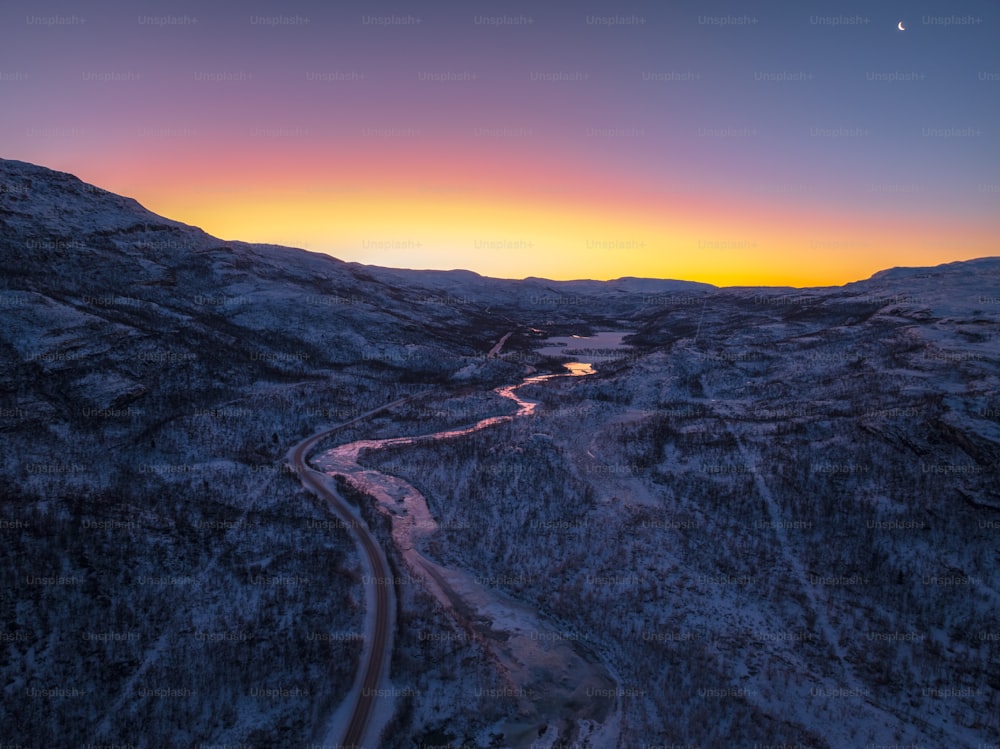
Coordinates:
772	516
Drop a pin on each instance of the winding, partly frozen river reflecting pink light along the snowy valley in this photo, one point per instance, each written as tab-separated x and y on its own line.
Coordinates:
555	681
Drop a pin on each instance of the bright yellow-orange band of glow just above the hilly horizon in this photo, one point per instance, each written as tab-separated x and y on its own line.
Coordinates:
564	240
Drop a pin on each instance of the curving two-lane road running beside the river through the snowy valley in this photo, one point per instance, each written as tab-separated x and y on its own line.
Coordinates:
379	649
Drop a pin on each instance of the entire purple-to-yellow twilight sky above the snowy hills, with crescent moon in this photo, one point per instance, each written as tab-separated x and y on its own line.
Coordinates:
735	143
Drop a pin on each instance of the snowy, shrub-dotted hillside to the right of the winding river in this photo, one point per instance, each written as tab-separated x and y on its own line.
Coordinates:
776	515
